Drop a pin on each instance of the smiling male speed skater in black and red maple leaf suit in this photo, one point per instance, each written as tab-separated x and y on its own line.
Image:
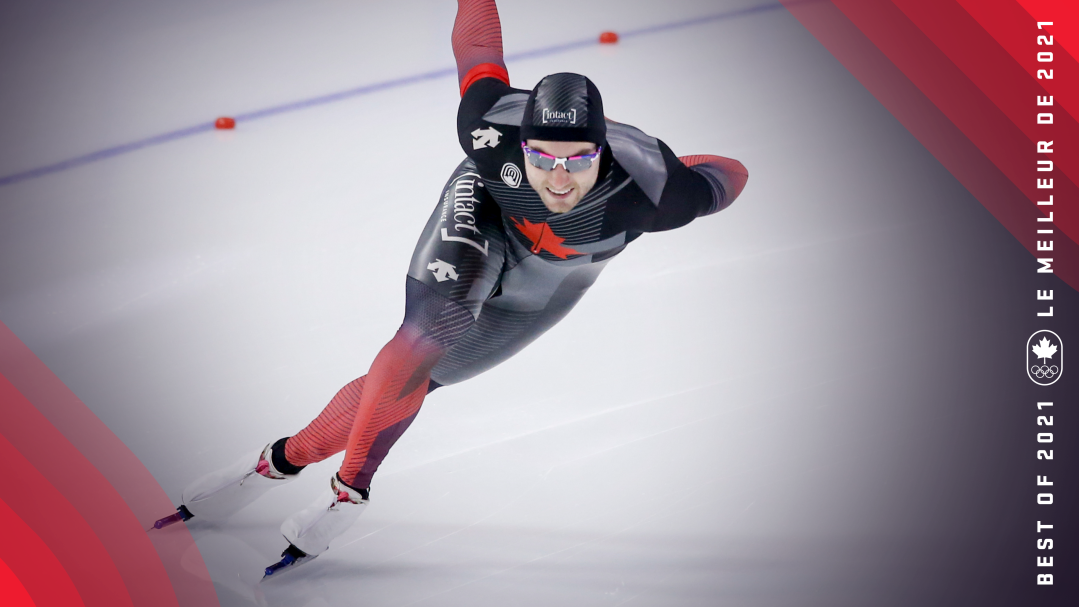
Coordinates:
550	192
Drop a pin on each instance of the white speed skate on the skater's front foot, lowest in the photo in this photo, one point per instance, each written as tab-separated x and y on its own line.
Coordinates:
310	531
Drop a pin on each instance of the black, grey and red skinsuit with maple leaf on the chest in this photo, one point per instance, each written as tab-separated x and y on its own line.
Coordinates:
495	269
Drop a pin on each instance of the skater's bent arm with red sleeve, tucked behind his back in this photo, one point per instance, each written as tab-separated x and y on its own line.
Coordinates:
696	186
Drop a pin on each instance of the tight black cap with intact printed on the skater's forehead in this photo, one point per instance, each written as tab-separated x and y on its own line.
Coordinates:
565	107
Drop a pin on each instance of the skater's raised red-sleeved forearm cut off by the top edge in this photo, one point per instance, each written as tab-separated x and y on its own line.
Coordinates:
477	44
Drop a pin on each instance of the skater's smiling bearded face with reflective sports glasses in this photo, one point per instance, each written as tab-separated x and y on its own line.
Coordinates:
559	189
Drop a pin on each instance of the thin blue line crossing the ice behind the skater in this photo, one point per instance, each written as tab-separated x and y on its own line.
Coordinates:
366	90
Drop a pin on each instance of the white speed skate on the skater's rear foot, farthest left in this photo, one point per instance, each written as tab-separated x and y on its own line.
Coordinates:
222	494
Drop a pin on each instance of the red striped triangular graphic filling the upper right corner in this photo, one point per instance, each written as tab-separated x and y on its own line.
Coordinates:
962	77
